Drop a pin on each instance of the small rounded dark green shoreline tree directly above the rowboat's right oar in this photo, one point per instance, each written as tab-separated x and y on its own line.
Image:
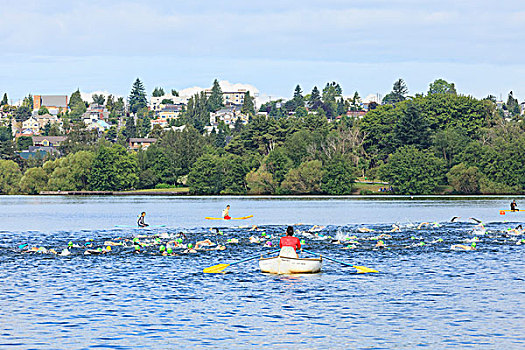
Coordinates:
338	177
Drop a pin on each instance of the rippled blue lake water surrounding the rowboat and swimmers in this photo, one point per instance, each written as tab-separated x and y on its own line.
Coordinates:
426	294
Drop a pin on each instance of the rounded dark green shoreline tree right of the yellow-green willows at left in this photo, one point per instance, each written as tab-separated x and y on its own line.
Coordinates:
113	169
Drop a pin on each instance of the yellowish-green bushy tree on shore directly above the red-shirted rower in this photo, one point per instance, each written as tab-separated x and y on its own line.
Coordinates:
306	179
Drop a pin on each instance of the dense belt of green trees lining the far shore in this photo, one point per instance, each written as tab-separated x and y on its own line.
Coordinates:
435	142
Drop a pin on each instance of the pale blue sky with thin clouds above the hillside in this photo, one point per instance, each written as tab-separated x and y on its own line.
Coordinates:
53	47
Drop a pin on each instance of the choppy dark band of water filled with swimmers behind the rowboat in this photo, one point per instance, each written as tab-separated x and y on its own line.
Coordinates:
399	237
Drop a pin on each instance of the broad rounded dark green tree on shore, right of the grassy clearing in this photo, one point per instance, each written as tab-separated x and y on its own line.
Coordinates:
411	171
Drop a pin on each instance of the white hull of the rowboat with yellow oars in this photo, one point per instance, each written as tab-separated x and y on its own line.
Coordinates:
283	265
